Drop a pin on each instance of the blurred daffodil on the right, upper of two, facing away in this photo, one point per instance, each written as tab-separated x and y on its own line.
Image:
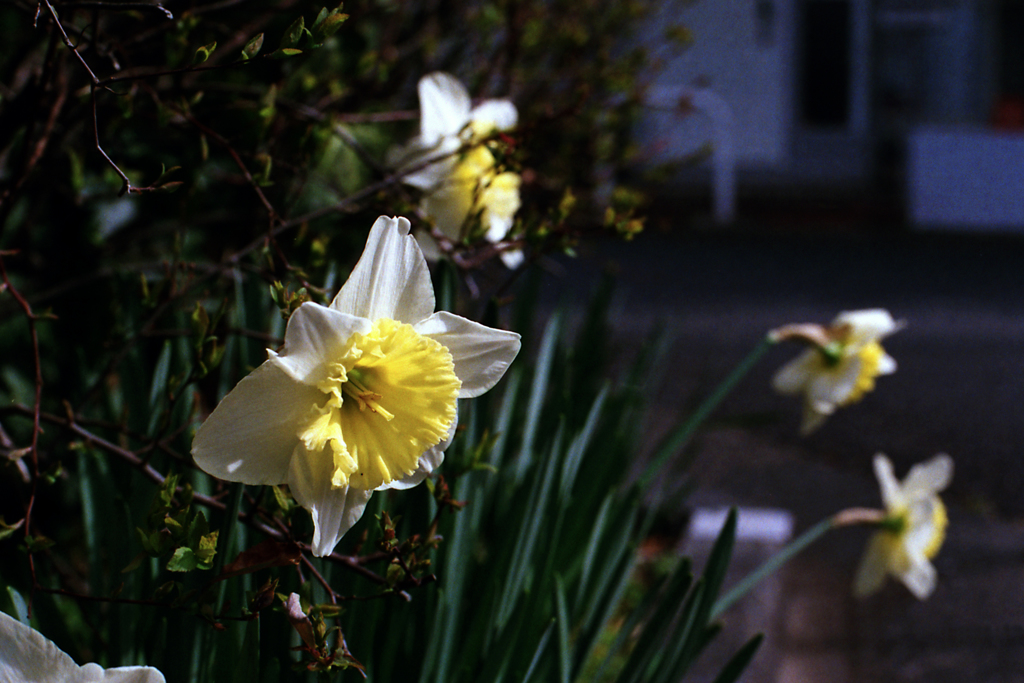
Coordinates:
842	367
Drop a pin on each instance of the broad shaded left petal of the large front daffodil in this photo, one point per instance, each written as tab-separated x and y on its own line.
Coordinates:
251	435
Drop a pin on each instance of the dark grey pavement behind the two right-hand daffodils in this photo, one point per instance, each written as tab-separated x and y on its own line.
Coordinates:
959	389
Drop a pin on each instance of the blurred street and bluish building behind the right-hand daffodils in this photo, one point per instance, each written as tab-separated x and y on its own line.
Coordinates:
844	155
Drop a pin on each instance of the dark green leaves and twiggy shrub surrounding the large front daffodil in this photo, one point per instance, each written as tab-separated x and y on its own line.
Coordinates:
243	162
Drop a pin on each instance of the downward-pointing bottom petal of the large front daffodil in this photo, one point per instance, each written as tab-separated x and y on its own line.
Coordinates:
334	510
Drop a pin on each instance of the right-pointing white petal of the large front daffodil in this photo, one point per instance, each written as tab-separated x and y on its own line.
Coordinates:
482	355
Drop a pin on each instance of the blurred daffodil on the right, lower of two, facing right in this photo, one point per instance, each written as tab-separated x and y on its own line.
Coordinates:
913	531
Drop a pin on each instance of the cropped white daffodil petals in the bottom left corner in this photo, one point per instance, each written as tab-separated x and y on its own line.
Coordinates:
28	657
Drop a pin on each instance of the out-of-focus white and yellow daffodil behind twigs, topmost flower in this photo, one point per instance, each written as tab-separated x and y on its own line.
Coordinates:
467	185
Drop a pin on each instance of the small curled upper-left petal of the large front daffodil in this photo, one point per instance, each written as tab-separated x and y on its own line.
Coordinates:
316	335
